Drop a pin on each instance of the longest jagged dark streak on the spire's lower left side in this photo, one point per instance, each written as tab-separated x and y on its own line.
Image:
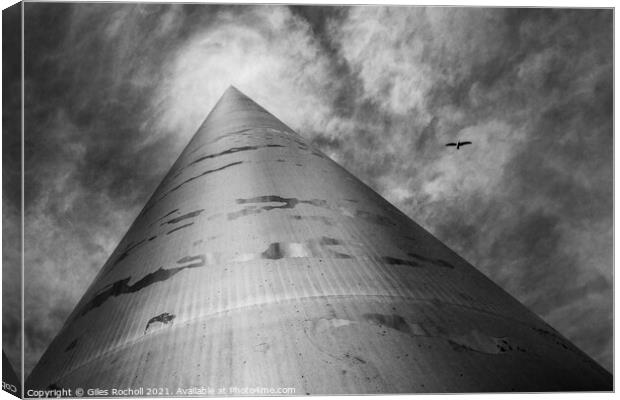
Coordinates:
122	286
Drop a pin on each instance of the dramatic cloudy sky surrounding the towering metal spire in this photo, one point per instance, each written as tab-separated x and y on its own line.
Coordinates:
113	92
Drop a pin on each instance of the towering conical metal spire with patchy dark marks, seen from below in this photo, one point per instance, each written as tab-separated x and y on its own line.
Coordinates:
260	262
